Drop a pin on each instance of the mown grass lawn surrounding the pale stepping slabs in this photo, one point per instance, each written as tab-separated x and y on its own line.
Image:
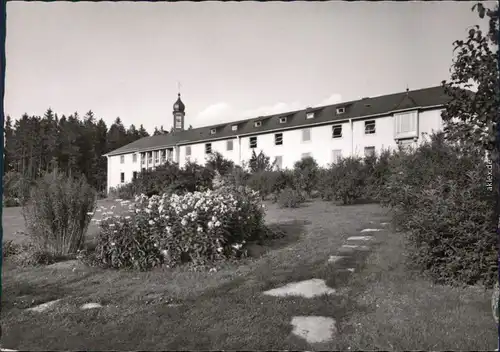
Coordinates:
381	306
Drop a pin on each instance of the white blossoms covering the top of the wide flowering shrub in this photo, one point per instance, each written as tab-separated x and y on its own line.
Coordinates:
211	214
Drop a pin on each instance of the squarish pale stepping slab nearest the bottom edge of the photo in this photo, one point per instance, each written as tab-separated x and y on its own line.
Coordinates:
314	329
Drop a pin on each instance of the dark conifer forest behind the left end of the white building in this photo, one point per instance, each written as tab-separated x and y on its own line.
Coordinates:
74	144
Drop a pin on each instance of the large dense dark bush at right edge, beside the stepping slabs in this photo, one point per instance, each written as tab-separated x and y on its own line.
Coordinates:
439	195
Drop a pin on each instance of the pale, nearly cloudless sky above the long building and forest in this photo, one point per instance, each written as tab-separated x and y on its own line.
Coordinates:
233	60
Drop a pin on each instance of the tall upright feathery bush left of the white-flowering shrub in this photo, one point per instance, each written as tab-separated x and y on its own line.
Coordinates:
59	212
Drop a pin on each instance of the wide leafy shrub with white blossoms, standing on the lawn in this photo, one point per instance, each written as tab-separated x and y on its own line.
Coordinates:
195	227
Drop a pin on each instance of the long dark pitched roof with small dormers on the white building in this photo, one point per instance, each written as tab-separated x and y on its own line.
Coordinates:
421	98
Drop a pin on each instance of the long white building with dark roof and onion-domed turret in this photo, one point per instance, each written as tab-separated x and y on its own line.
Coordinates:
325	133
